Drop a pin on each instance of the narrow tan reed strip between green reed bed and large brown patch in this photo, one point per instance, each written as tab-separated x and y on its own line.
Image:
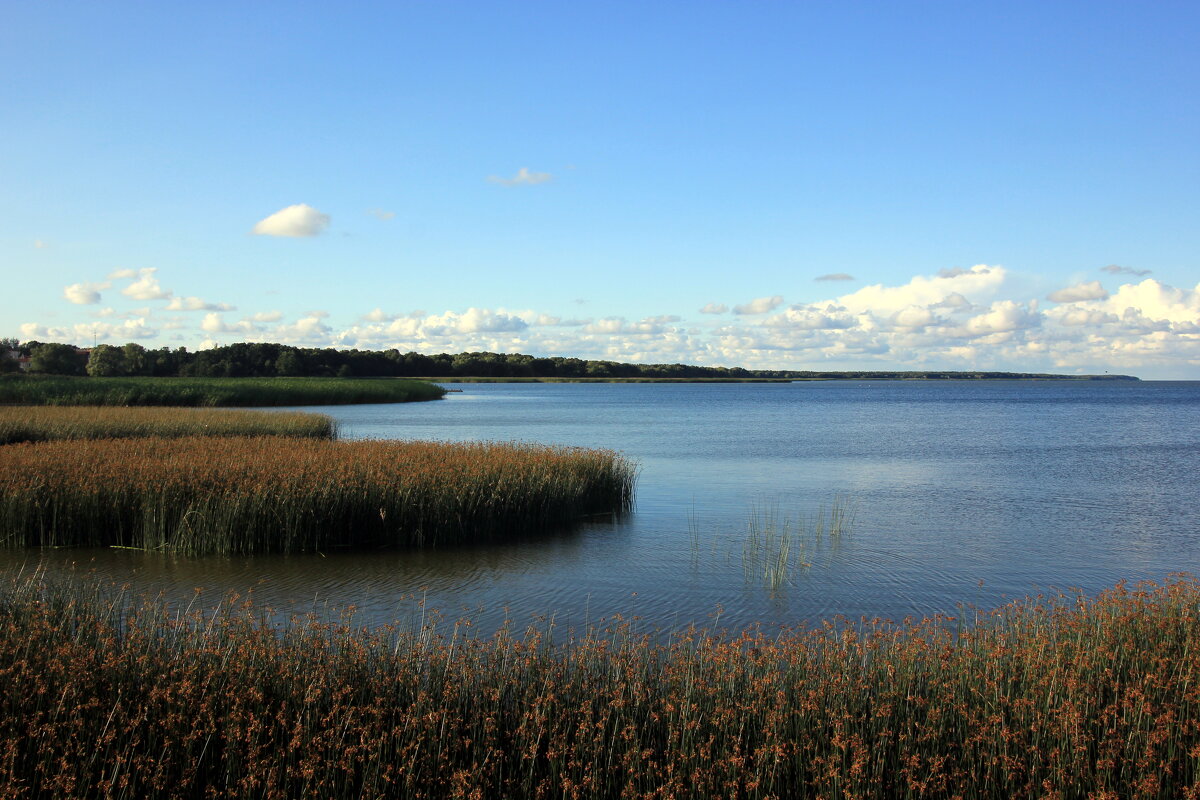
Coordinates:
55	423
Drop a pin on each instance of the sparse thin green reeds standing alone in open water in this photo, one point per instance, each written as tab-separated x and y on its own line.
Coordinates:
776	548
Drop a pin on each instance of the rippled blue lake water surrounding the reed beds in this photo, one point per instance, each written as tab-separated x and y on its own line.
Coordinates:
962	492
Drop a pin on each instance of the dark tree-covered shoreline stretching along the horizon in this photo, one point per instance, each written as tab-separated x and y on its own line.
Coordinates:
269	360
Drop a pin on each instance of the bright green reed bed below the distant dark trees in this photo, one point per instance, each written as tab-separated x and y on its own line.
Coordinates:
57	390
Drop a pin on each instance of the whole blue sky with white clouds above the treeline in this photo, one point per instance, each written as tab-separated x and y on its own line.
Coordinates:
769	185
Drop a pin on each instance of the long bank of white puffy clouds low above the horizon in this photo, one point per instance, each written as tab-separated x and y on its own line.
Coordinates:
955	320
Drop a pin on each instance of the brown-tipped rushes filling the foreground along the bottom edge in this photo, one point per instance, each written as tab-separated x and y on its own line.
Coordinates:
1051	697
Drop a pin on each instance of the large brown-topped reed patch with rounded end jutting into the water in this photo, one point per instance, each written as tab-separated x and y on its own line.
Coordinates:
203	495
